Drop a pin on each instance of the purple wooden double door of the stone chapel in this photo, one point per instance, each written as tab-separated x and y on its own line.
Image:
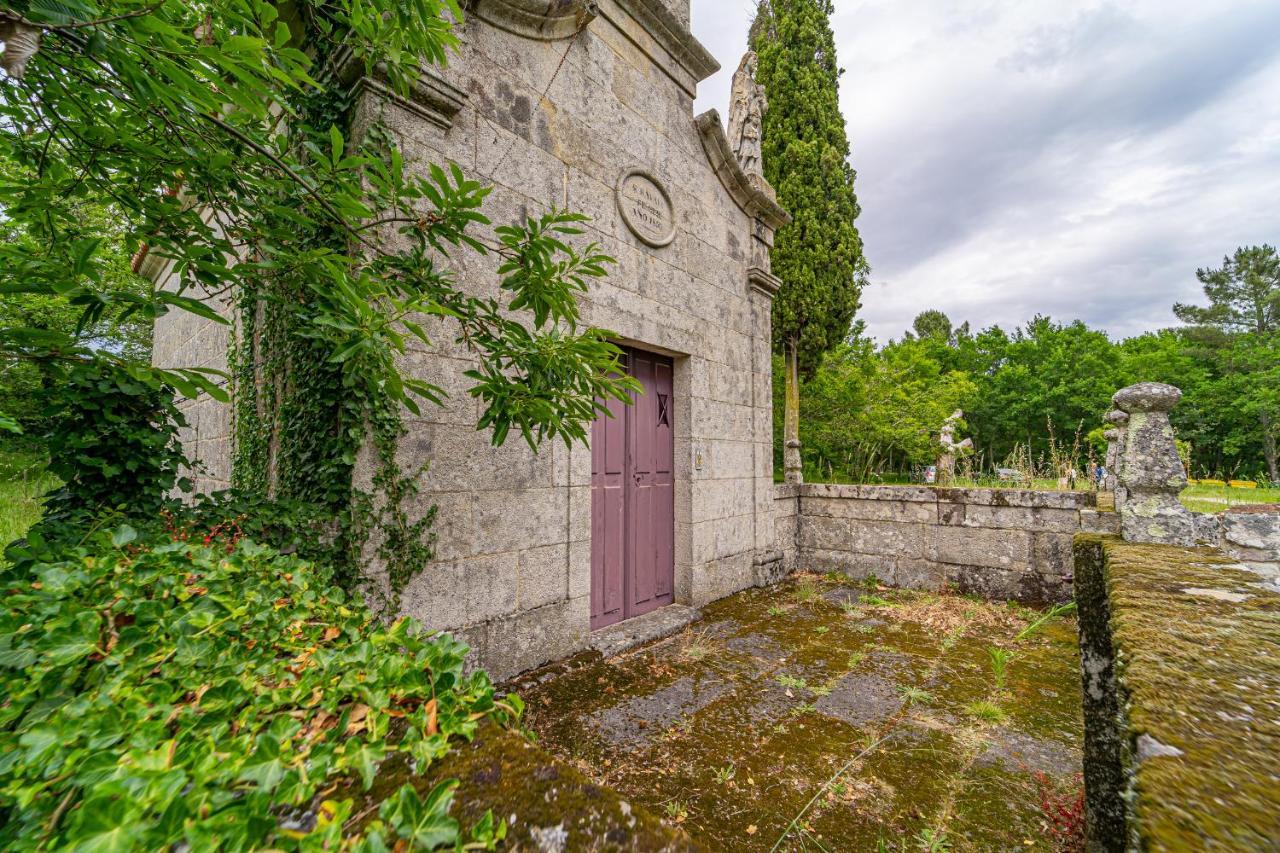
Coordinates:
633	499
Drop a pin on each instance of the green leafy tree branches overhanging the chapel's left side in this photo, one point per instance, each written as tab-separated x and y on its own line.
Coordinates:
218	133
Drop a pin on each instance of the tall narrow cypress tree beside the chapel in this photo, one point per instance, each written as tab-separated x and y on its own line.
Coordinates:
820	256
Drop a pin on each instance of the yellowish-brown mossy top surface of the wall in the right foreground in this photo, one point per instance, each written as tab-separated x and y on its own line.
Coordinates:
1200	674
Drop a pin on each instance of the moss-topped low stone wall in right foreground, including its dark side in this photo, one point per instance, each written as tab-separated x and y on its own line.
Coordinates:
1182	691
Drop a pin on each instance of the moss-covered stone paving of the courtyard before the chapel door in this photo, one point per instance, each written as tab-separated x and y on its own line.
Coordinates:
829	715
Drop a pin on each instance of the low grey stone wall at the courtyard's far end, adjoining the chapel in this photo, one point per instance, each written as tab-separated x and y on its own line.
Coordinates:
996	544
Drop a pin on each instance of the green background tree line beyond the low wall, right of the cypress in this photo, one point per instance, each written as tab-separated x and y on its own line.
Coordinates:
876	410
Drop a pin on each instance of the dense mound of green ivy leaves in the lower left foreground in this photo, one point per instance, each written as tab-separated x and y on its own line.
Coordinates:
203	694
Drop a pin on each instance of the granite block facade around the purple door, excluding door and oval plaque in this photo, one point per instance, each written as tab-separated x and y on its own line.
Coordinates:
560	122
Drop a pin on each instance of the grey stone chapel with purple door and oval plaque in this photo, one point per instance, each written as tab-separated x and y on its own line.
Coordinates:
586	106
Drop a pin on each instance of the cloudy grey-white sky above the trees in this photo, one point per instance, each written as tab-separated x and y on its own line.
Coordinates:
1059	157
